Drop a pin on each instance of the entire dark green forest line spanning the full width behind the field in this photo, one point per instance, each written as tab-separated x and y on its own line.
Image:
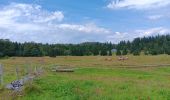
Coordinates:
152	45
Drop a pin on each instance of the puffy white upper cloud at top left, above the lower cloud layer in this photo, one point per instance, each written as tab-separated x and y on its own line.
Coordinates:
28	12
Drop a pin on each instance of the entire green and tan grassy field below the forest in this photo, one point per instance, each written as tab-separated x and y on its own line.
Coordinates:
95	78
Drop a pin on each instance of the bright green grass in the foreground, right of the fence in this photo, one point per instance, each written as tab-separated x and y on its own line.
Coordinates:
96	84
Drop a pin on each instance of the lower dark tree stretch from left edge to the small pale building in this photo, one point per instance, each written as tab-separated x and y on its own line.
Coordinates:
31	49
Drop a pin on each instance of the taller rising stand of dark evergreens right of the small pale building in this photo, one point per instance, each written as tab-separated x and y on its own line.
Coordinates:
152	45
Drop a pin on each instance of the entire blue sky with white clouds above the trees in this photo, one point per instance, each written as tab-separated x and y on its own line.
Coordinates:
77	21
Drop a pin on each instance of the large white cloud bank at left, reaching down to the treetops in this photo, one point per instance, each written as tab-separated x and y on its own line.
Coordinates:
28	22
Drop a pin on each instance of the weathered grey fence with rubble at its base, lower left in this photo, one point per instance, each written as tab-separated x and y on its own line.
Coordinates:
30	74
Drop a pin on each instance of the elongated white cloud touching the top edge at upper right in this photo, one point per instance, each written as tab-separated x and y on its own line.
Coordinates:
138	4
